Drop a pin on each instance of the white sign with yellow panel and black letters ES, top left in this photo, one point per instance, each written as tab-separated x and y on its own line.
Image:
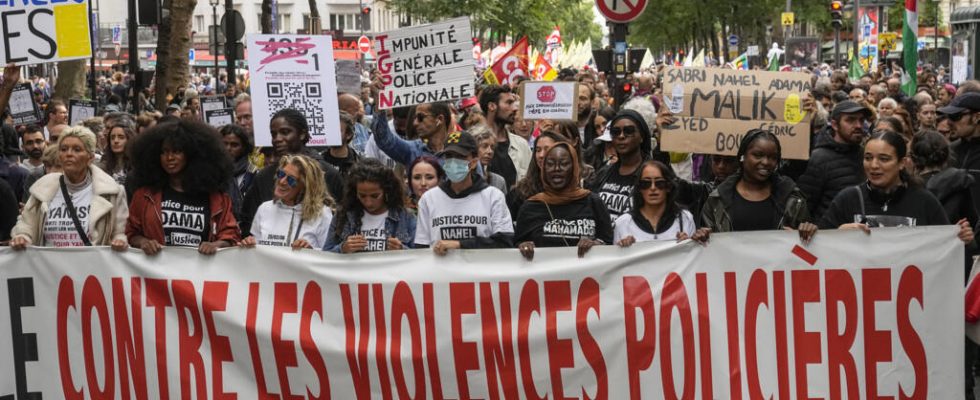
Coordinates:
44	31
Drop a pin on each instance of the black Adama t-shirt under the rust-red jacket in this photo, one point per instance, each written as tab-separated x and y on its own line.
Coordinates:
186	218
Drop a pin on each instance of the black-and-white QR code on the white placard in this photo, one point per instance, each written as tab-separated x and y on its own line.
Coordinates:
305	97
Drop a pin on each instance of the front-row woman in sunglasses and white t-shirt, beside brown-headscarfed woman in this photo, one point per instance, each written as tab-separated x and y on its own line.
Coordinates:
655	214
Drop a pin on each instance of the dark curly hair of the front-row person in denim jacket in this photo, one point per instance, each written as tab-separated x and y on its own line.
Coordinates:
367	170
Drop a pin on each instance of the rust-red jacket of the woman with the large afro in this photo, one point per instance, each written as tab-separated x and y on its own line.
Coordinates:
145	214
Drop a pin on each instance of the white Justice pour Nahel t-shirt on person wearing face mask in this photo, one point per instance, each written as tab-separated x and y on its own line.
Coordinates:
480	214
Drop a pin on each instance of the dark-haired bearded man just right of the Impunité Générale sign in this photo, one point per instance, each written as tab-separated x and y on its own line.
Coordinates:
512	156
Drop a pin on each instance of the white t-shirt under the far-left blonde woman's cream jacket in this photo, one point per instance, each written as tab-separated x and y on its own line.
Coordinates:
59	229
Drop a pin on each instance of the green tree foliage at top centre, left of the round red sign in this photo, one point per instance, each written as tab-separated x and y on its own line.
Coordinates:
515	18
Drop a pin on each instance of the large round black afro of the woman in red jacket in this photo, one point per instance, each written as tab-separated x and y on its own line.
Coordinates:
208	167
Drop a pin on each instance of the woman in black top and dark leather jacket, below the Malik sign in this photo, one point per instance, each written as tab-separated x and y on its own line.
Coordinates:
757	197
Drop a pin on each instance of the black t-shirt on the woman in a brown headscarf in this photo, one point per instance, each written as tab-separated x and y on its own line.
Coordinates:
586	218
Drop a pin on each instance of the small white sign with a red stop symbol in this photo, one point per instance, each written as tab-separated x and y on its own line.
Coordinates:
549	100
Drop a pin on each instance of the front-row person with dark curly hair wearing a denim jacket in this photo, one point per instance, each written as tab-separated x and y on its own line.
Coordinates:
373	216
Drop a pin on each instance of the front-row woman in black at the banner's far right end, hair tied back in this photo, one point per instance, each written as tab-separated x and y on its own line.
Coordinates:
890	196
